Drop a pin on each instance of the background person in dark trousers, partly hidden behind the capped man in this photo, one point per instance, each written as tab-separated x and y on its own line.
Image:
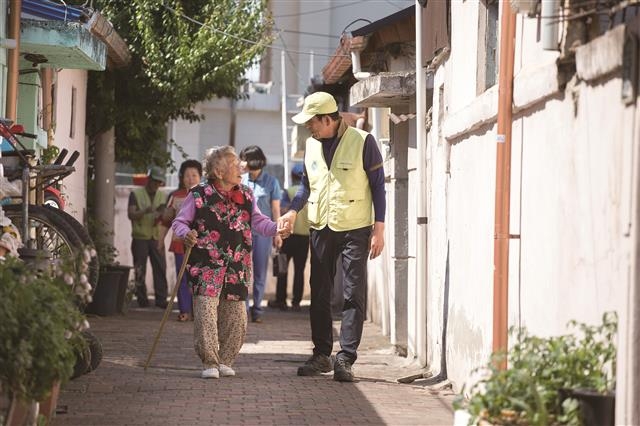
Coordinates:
296	247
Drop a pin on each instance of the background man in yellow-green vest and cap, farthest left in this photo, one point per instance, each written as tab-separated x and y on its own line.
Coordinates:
145	212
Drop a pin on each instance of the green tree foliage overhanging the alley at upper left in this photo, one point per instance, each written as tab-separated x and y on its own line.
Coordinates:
175	64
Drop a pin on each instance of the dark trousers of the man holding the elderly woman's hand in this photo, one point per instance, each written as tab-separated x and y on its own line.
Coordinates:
326	246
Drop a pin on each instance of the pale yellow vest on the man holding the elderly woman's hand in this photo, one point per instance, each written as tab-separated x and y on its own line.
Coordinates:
340	196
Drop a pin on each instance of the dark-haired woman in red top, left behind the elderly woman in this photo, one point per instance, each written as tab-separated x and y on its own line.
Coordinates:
189	175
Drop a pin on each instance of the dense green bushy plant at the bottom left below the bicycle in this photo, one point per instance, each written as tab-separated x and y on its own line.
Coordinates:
40	327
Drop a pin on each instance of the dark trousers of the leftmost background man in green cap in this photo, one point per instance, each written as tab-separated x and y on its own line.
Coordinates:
143	250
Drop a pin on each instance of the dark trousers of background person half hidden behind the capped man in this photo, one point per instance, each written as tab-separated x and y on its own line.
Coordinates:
296	247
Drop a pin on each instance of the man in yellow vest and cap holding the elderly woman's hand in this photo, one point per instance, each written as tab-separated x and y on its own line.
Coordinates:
343	189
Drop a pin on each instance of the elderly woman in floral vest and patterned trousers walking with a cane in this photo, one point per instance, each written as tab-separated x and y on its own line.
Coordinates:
216	219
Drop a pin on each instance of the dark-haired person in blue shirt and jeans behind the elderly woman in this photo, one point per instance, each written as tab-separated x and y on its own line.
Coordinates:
266	189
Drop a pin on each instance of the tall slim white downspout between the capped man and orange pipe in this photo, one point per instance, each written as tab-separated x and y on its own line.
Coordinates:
421	202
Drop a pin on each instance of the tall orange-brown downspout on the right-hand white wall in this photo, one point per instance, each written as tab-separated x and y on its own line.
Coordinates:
503	182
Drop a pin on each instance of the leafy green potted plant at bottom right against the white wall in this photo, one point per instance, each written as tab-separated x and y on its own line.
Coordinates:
535	388
